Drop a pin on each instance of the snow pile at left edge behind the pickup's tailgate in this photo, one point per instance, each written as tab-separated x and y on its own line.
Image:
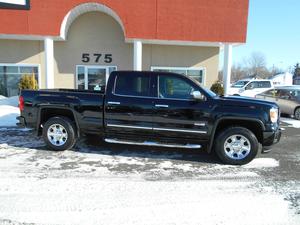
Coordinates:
8	111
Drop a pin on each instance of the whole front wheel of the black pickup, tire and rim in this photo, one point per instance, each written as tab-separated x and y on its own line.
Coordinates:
236	146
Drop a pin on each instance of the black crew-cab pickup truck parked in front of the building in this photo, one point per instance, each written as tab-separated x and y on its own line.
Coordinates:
154	109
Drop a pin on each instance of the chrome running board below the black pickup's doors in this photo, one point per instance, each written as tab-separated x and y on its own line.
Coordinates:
149	143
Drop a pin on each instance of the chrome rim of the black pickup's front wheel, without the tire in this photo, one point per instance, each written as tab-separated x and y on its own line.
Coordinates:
237	147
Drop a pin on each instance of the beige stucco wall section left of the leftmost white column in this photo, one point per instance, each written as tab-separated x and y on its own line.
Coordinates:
23	52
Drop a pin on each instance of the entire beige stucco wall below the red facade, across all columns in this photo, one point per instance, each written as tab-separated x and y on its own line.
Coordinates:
97	32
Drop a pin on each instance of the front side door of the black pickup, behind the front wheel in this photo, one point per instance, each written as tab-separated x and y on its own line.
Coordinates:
177	115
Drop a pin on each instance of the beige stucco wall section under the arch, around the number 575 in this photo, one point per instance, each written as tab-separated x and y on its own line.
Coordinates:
91	33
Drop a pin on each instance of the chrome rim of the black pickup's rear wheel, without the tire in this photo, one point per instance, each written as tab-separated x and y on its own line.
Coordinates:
57	135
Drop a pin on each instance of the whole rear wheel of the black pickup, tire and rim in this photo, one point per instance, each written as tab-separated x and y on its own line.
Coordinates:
59	133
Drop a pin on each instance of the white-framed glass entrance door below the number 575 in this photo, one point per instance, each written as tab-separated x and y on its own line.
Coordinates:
93	77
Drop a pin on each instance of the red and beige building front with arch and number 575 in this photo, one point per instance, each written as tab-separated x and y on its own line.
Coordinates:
77	43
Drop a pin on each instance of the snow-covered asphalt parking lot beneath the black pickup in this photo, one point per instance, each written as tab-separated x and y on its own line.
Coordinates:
98	183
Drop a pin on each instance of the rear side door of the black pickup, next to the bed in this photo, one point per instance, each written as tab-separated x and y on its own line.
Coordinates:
129	105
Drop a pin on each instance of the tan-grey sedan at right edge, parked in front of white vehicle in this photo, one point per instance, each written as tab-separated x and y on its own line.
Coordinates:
288	99
